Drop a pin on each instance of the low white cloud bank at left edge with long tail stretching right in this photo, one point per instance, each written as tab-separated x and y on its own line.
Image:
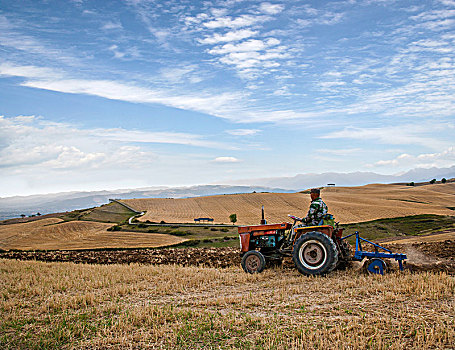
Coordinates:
32	141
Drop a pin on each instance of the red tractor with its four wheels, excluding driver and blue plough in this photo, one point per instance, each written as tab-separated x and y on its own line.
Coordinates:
315	250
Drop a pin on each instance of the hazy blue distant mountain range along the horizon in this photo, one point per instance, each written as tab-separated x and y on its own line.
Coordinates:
66	201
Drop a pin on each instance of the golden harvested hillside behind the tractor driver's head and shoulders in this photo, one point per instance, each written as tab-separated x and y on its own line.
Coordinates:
347	204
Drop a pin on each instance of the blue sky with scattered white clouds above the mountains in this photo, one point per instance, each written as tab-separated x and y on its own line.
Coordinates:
124	94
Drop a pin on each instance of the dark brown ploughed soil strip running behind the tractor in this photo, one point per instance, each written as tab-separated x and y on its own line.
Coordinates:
429	256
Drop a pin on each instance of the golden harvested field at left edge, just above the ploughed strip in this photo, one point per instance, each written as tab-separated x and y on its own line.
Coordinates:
53	233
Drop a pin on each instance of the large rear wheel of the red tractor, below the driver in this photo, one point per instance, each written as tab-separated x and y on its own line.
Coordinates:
315	253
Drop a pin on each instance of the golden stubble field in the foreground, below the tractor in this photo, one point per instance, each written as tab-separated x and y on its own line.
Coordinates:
64	305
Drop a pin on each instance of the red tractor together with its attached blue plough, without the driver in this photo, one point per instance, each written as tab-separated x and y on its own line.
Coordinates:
315	250
